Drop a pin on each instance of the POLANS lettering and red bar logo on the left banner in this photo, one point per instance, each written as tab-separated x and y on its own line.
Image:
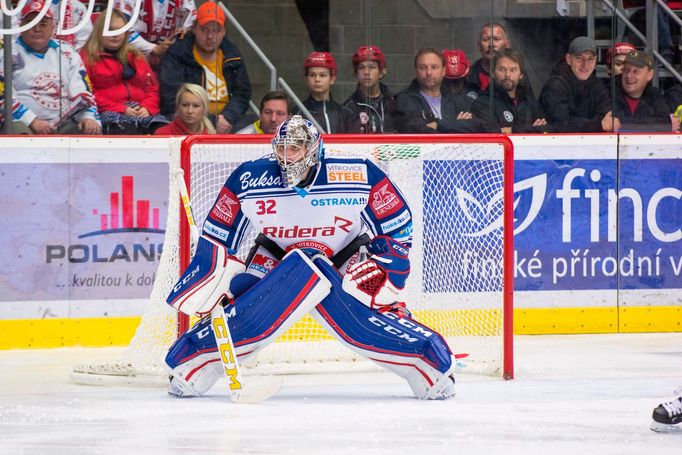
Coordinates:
125	215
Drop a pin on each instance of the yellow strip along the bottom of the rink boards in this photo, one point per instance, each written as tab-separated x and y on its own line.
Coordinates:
100	332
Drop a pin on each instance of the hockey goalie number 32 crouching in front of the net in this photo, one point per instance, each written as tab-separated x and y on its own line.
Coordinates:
334	236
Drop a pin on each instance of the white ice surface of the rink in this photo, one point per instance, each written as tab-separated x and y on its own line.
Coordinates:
575	394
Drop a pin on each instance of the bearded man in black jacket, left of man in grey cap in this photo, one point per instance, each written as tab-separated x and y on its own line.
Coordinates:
514	108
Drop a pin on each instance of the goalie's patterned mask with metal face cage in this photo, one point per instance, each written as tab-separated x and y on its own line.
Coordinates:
298	147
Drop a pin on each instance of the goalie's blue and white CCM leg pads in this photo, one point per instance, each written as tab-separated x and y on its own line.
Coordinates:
294	287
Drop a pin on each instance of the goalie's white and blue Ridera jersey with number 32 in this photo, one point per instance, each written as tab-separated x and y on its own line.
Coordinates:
347	197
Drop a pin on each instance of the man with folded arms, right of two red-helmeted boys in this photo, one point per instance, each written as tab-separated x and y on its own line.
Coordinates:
425	107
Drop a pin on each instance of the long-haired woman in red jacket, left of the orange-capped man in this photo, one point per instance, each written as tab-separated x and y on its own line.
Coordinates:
125	88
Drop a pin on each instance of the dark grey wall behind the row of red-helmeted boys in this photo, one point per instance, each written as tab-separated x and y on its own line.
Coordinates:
400	28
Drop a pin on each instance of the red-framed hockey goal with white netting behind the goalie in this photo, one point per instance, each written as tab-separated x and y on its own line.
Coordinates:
460	191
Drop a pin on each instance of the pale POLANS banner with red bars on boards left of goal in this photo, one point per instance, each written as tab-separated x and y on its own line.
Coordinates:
77	232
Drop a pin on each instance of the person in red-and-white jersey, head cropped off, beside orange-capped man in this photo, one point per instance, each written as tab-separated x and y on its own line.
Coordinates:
159	23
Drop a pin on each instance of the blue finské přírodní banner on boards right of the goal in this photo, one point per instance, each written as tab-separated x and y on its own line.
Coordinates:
598	220
